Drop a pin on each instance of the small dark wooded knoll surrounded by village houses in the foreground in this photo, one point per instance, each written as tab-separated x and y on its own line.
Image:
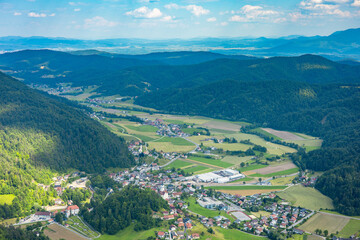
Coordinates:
122	208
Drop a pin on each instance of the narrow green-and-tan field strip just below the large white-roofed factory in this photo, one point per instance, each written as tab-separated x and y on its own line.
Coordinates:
247	190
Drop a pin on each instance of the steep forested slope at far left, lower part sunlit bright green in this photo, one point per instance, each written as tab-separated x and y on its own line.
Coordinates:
39	135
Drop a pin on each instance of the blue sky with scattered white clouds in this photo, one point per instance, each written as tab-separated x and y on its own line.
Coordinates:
166	19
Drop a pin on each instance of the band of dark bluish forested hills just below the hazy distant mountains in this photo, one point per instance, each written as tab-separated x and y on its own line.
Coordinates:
132	77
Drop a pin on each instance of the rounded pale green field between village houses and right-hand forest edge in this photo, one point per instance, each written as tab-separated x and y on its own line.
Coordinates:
306	197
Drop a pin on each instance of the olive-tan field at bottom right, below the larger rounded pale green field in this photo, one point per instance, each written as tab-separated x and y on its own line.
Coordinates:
324	222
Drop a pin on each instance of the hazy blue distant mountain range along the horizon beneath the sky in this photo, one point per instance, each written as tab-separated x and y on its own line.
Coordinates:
341	44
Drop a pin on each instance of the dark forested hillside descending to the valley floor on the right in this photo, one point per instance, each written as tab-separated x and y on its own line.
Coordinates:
331	112
